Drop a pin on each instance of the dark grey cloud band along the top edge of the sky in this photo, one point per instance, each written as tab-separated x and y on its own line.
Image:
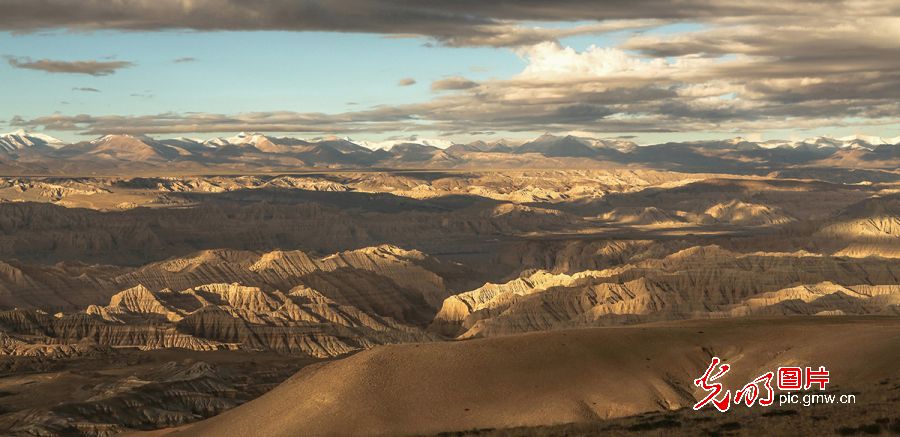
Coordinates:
460	23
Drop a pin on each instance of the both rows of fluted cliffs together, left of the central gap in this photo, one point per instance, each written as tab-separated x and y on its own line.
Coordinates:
329	306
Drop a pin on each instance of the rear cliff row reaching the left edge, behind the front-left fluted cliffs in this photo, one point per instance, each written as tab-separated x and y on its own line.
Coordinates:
405	284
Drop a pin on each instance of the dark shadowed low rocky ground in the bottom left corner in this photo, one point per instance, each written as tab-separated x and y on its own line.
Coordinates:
120	390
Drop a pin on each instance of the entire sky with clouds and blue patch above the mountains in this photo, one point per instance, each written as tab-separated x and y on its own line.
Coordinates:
459	70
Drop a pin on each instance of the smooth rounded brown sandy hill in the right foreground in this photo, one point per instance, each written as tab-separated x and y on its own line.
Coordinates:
551	378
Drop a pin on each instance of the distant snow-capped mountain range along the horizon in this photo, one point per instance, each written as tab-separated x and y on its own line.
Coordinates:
23	152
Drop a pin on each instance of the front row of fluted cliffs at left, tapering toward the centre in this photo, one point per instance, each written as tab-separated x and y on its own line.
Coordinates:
217	317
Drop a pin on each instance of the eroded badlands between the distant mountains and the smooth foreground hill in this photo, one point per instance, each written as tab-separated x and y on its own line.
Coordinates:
300	269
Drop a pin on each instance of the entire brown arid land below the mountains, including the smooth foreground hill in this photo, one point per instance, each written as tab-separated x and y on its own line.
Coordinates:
512	302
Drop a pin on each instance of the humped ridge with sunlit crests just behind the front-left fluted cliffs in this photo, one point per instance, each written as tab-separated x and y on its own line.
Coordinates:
384	280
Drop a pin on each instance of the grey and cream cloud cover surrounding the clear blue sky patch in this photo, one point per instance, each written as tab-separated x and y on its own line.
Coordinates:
770	65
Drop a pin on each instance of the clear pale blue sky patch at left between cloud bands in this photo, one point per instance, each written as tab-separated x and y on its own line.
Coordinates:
235	71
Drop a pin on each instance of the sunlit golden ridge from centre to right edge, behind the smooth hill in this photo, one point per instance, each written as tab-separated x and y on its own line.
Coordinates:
700	282
